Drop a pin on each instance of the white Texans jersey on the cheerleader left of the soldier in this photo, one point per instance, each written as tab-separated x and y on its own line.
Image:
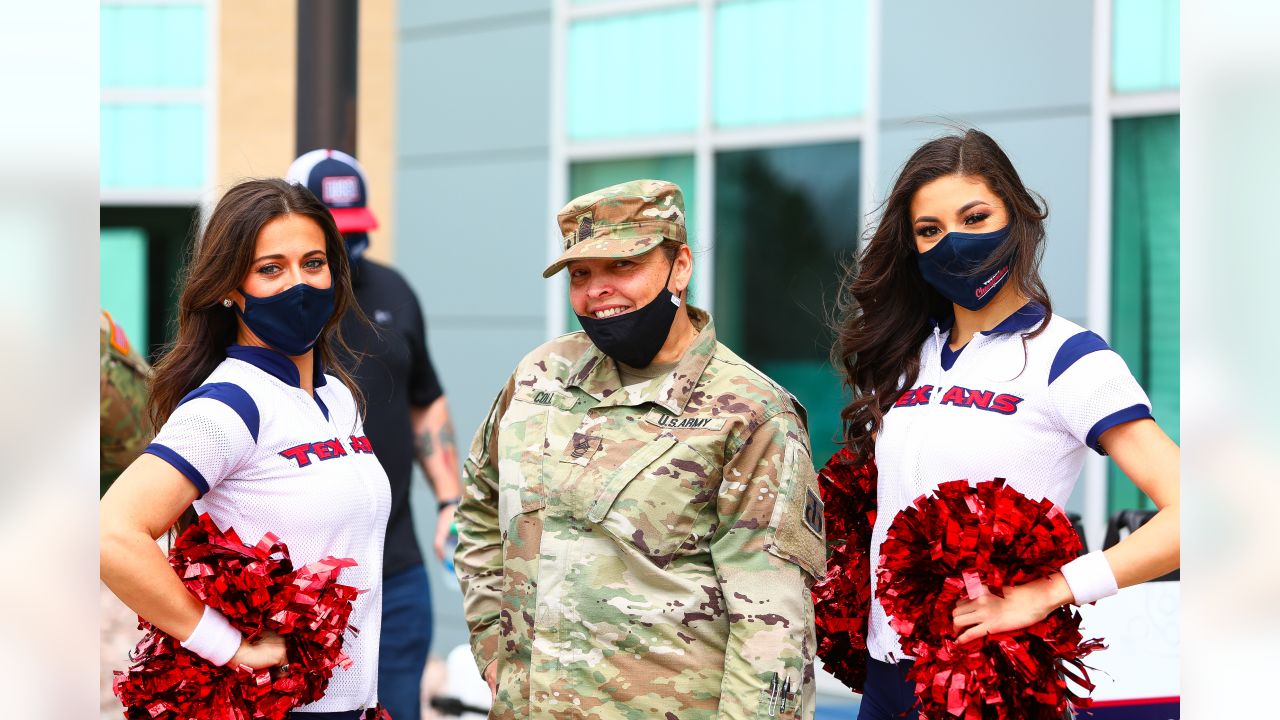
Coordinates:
268	457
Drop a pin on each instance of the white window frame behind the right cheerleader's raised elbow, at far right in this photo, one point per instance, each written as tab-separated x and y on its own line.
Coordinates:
1107	108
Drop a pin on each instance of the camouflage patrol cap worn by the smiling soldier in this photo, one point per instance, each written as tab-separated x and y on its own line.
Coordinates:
620	221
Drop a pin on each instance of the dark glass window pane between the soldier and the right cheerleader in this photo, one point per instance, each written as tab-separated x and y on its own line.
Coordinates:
785	221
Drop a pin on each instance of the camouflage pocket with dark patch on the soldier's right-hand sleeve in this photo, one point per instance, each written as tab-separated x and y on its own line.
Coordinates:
799	532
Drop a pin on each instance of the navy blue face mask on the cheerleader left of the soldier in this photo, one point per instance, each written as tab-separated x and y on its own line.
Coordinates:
289	322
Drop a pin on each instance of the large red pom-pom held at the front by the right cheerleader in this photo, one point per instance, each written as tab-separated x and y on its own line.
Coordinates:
964	537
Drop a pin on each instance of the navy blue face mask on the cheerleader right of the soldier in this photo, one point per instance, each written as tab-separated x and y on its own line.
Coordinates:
950	267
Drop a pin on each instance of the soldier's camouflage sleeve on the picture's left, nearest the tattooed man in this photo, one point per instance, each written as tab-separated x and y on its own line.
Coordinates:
479	554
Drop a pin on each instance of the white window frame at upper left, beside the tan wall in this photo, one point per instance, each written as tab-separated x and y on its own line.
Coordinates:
208	97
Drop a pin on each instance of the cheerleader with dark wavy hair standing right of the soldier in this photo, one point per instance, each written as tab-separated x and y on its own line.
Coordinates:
961	371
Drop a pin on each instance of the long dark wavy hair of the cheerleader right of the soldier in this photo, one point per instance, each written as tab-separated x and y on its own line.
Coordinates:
885	306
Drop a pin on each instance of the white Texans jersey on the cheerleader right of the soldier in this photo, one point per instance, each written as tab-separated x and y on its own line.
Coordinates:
999	412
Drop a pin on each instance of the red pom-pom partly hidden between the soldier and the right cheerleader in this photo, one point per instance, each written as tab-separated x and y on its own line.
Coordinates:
843	599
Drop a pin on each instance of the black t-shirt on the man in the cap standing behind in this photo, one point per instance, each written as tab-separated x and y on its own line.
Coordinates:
396	376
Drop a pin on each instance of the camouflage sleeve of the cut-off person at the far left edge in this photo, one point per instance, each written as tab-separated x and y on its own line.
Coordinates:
122	402
